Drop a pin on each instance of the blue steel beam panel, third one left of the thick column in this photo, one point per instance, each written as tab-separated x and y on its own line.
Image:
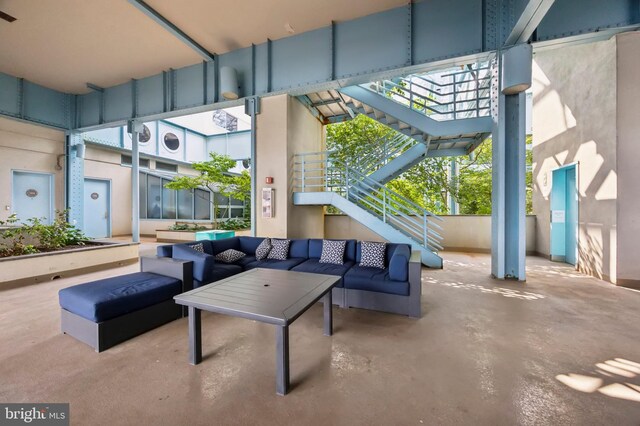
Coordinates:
290	63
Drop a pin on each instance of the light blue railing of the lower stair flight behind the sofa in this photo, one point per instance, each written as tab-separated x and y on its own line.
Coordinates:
319	172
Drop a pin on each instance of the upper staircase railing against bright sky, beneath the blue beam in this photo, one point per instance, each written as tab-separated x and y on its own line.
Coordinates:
443	95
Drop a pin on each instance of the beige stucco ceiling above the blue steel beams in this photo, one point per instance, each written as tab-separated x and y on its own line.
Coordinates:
64	44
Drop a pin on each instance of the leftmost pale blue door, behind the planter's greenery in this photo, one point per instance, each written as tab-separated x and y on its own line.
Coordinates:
32	196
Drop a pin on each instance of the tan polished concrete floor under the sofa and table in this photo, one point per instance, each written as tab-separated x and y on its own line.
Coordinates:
562	349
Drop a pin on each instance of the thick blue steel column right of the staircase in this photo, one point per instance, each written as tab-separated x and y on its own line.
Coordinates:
508	214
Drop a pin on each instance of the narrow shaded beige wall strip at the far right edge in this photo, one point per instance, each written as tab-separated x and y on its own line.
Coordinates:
628	153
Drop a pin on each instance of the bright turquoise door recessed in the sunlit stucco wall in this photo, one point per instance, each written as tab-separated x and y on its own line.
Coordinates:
558	214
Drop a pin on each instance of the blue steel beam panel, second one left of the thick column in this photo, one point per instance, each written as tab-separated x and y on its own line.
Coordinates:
375	43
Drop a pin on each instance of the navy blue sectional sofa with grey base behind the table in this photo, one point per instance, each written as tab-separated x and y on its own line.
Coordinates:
396	288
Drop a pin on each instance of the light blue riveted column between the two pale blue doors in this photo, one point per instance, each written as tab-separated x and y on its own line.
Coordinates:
74	178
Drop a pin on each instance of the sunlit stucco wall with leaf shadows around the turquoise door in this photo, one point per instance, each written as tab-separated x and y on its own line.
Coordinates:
574	121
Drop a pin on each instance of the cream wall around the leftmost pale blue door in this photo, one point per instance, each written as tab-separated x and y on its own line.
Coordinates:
27	147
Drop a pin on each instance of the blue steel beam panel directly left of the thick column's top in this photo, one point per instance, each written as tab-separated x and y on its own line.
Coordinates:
446	28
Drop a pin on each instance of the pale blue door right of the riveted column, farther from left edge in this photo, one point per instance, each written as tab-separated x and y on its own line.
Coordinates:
97	208
